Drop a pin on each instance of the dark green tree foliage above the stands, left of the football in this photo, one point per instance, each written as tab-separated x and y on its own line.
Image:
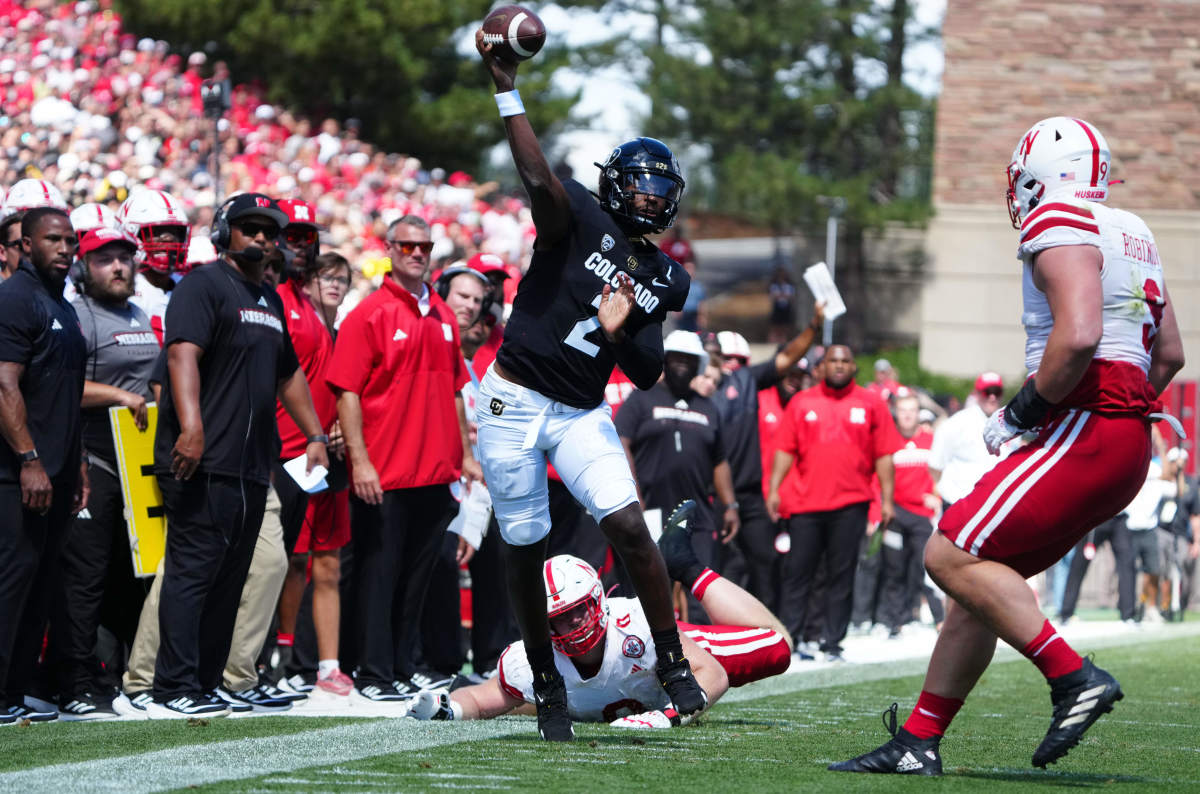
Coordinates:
393	64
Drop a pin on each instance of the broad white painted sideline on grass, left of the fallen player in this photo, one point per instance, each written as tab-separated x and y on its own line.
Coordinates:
242	759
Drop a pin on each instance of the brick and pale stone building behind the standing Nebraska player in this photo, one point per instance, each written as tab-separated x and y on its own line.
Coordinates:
1133	70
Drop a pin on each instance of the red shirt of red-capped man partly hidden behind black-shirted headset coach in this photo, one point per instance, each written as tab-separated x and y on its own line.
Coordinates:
315	348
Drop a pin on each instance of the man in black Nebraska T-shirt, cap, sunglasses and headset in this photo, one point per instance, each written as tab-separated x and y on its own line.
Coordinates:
229	358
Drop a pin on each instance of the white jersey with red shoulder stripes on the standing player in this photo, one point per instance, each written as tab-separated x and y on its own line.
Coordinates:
1131	276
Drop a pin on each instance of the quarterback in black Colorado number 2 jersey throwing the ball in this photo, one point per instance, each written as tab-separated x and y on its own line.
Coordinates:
595	297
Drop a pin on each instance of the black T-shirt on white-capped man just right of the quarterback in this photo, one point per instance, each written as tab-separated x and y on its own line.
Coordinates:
676	444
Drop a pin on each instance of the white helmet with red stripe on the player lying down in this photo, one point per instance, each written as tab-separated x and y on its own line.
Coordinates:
574	585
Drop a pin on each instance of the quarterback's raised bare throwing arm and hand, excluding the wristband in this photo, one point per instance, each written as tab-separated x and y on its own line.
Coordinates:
548	197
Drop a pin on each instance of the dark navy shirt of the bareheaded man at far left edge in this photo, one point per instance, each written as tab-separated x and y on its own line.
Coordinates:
40	330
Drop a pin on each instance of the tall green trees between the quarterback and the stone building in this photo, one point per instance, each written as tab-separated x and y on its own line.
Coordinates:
799	105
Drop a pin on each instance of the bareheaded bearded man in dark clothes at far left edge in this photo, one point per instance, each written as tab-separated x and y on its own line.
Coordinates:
43	358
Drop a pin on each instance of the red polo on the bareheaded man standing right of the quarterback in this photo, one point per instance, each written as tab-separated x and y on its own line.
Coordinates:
836	436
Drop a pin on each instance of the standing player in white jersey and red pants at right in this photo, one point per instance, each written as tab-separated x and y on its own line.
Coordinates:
1102	345
